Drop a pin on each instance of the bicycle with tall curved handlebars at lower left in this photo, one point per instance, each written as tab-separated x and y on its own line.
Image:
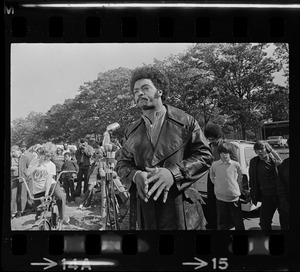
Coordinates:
48	208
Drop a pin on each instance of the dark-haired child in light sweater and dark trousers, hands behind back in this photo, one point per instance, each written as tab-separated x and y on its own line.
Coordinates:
227	177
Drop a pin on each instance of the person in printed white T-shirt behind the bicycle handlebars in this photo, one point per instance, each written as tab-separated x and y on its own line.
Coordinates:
43	171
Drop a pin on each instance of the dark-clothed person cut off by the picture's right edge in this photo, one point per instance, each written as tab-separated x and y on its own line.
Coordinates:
283	192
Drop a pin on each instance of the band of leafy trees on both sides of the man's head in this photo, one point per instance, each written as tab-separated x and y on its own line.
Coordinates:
228	84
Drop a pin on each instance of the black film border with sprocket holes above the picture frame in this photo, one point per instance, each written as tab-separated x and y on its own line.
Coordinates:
139	25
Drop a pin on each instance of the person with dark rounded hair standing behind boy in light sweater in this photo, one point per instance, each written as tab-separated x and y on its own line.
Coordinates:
214	135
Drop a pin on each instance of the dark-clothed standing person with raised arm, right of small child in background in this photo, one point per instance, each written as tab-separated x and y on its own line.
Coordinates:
83	157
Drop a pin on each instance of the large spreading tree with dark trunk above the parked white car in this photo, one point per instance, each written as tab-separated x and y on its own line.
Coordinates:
240	72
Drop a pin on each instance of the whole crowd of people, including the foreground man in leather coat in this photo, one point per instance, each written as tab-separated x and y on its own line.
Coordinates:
163	155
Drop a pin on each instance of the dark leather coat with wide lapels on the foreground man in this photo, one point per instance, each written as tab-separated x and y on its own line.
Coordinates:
181	148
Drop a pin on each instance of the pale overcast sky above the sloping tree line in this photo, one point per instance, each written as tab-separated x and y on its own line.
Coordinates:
43	75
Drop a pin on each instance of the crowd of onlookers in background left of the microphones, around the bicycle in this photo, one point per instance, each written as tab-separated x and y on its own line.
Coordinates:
41	165
